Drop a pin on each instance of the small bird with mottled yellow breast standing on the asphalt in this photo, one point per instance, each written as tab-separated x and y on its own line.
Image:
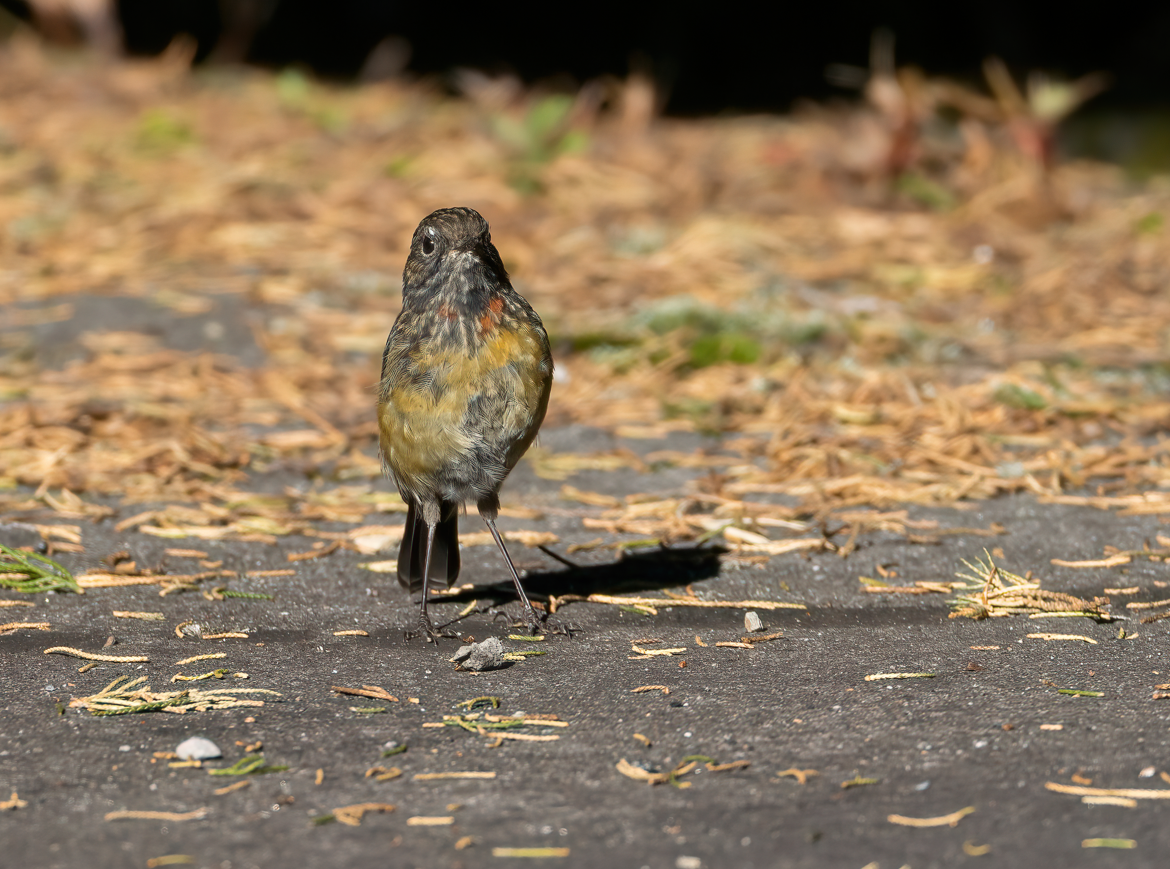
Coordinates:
465	385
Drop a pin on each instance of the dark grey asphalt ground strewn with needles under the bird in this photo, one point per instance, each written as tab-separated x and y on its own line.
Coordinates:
982	733
